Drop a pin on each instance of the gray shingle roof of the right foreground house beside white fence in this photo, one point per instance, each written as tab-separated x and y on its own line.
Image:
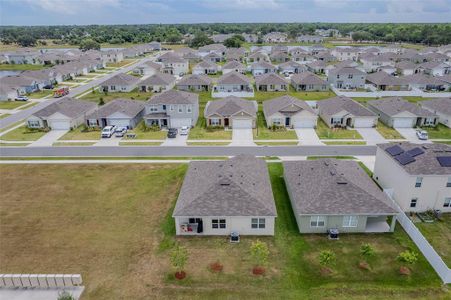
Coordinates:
334	187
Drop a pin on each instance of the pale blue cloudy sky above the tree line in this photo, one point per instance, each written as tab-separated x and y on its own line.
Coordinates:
84	12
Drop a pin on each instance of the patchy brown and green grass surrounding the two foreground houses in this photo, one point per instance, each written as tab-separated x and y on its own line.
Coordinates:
113	224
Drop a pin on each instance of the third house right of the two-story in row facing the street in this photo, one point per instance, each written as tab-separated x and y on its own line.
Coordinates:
344	112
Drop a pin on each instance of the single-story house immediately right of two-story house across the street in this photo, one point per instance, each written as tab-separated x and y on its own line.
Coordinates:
231	112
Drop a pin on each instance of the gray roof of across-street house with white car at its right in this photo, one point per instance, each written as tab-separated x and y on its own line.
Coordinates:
395	105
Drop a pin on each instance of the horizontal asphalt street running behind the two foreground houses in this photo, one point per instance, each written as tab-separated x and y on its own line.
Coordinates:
124	151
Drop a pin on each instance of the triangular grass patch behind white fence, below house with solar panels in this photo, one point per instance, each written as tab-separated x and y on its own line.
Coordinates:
439	235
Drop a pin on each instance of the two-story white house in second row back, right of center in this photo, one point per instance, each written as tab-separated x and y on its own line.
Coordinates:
347	78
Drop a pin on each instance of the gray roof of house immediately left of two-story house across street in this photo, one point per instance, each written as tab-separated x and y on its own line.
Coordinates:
128	107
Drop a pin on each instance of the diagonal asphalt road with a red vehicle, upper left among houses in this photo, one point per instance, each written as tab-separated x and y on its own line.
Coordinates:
23	114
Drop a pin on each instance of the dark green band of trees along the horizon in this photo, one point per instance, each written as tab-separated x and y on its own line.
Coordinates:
427	34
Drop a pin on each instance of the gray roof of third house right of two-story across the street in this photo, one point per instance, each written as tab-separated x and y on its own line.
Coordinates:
334	105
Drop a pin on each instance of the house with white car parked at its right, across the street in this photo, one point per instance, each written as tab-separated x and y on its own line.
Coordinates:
399	113
